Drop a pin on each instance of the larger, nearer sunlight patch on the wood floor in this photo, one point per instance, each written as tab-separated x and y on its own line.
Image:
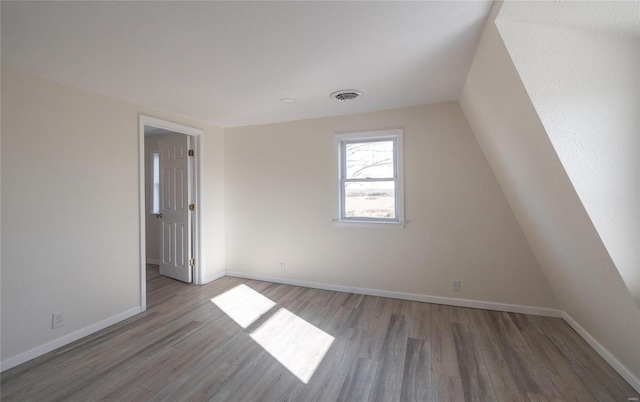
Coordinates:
295	343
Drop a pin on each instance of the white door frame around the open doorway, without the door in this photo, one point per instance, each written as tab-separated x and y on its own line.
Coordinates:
197	145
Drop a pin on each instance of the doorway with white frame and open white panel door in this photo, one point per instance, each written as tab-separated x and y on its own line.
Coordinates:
154	135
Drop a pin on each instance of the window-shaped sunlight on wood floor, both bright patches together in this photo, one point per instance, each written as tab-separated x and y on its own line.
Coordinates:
296	344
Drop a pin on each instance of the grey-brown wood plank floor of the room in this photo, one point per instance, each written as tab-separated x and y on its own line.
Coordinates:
185	348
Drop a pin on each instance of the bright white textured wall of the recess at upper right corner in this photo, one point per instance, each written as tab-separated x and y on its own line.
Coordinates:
585	86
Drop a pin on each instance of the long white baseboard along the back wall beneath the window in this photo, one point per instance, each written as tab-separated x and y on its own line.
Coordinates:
512	308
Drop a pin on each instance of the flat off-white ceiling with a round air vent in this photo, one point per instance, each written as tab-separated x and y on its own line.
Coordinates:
230	63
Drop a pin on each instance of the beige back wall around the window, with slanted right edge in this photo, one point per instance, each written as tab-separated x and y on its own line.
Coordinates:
280	198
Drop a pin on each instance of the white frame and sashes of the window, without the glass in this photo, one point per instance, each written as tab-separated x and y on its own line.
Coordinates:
340	142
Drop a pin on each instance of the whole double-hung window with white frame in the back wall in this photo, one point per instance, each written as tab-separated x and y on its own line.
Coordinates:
370	177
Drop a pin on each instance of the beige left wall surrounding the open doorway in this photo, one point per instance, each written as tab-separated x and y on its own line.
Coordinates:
70	209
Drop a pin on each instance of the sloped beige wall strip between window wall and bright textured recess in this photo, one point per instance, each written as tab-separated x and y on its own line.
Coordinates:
572	256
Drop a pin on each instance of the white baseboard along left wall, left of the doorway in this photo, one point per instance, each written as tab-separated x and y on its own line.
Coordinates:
66	339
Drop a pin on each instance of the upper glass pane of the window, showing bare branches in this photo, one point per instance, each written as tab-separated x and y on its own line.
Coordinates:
369	160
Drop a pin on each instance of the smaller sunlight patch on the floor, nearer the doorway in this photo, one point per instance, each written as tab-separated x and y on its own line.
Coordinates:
243	304
